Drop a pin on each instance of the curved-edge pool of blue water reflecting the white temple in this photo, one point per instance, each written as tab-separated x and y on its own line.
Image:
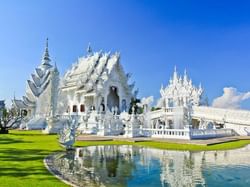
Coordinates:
128	165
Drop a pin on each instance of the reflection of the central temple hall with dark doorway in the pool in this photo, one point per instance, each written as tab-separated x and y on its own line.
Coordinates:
108	163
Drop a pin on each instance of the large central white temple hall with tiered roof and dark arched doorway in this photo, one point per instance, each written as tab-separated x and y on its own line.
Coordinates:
95	82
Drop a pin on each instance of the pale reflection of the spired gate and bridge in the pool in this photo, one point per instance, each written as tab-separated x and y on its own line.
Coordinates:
179	168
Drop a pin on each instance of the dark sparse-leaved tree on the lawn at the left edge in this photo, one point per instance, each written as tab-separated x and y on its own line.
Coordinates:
9	118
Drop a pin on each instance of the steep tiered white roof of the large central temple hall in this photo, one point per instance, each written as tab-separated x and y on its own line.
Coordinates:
90	72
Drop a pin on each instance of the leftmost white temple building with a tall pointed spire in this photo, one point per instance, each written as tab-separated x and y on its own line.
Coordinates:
40	100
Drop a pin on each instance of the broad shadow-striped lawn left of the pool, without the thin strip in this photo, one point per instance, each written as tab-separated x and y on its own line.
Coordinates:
21	159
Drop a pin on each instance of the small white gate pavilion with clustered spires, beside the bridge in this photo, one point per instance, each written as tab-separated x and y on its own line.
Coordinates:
180	95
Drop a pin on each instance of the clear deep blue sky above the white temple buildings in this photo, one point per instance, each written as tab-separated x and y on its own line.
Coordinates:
211	39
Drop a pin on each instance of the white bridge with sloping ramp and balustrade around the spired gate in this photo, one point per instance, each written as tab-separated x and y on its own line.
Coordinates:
226	122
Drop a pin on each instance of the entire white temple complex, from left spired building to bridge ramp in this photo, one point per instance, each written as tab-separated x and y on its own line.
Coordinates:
96	91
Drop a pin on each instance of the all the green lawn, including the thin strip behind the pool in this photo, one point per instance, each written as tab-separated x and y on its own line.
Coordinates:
22	154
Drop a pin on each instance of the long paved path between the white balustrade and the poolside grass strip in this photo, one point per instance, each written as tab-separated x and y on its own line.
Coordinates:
212	141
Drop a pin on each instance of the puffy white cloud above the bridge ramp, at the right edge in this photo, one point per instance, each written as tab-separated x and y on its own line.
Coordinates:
231	98
